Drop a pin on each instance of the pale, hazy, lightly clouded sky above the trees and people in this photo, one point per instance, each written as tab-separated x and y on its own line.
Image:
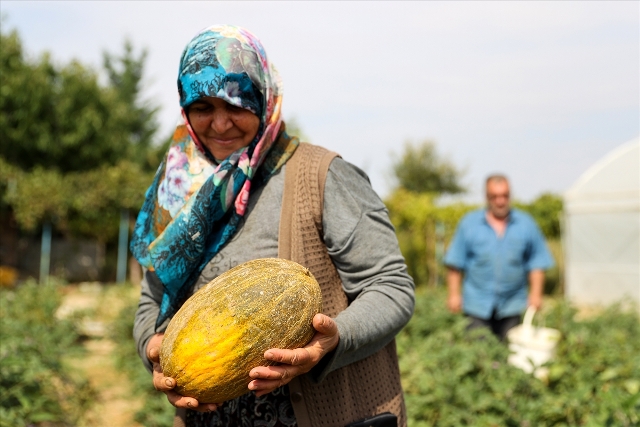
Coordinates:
536	90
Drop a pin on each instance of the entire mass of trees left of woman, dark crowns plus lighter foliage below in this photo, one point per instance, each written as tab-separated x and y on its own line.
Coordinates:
73	151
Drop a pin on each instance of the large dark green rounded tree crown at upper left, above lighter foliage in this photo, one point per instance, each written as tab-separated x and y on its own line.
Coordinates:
56	118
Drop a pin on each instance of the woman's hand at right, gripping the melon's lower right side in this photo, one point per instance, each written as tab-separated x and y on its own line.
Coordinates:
297	361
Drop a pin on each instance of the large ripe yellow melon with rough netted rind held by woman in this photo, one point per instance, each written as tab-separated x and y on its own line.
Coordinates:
223	330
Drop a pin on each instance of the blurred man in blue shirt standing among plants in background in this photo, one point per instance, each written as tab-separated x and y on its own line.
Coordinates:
501	255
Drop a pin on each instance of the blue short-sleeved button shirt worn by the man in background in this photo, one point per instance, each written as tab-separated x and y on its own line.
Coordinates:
496	268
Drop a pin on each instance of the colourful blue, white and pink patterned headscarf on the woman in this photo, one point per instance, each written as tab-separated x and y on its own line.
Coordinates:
194	205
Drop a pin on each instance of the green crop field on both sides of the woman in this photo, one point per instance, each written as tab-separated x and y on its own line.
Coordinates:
451	378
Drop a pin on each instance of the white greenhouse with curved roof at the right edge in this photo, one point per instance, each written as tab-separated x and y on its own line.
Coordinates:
602	230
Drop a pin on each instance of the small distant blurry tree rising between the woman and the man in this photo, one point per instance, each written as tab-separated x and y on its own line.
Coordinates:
422	170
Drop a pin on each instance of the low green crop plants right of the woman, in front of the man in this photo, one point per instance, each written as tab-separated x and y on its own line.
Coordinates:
455	378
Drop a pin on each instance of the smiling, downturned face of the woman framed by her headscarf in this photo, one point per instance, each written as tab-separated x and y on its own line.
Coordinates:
222	128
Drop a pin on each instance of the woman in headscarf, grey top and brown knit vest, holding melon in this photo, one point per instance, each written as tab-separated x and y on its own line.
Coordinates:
235	186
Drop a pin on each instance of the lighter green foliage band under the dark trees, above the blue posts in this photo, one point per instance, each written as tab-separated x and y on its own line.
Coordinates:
78	203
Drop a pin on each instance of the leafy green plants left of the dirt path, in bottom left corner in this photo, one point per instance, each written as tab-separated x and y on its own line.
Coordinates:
36	385
